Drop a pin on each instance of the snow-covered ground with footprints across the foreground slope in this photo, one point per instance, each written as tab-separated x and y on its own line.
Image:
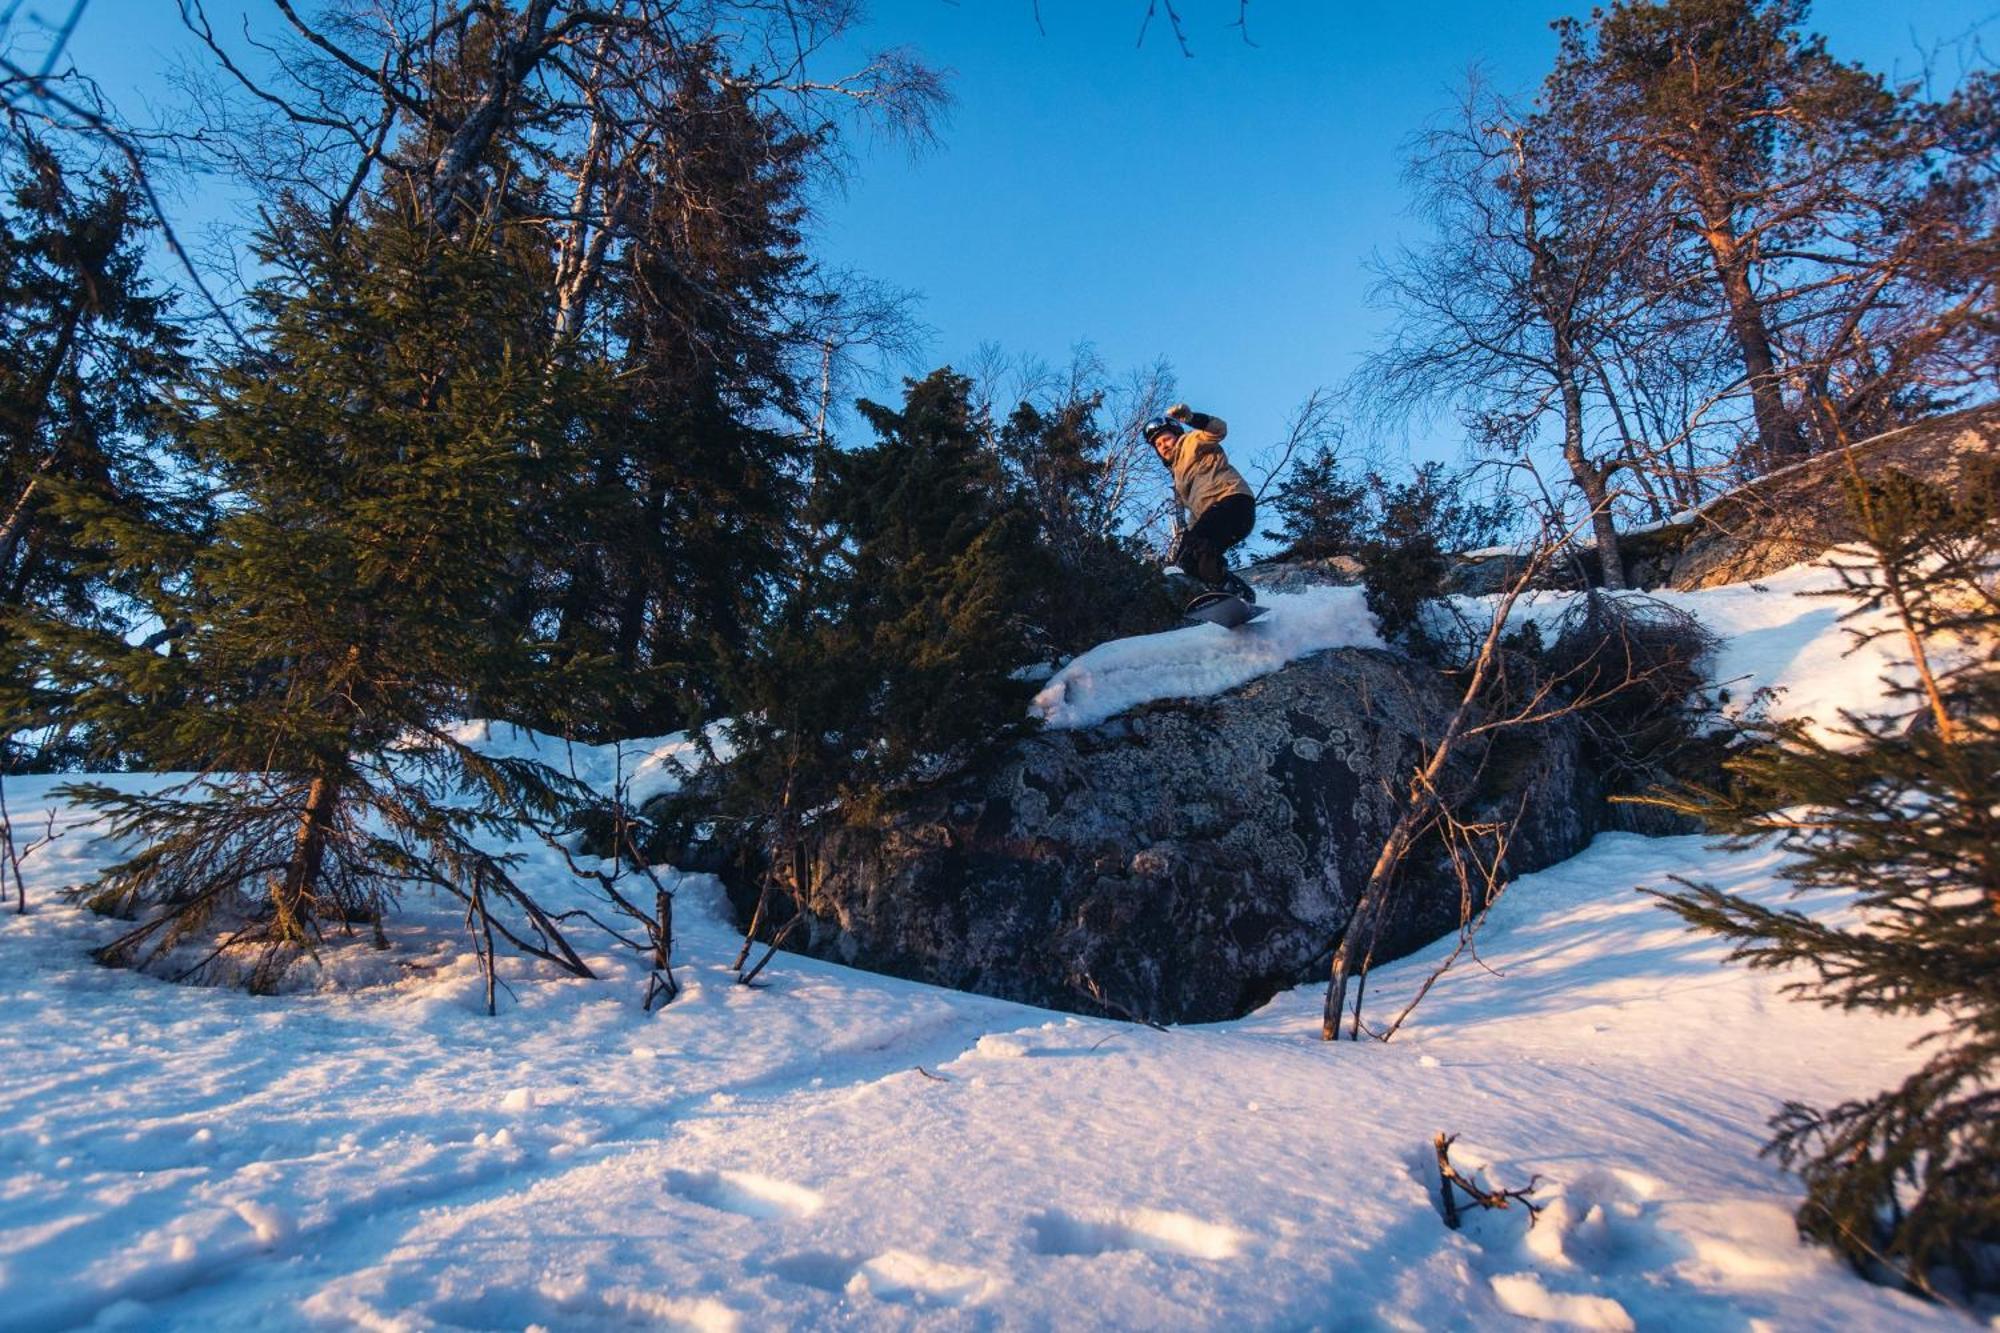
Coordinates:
859	1152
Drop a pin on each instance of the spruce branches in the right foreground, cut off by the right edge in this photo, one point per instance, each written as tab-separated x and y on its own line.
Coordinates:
1899	810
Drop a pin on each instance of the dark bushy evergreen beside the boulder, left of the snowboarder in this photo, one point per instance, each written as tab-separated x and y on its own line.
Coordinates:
897	659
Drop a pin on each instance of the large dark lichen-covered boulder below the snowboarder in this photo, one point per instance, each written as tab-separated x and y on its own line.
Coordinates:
1183	862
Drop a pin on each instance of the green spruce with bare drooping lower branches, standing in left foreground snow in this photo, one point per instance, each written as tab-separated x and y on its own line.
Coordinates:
377	453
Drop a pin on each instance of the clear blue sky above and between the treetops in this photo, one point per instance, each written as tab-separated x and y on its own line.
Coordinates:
1217	211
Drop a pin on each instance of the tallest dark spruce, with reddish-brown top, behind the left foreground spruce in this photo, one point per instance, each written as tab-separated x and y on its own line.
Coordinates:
663	549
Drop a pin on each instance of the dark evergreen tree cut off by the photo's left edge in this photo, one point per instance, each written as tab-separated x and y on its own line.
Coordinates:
89	365
